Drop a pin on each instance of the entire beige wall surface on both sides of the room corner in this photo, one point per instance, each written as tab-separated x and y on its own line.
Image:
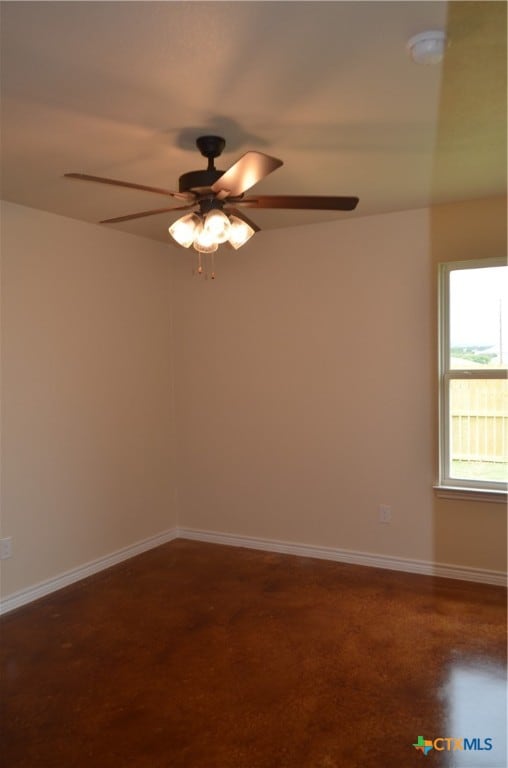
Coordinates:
304	377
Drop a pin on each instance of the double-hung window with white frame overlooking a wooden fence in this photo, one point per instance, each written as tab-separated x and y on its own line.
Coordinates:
473	402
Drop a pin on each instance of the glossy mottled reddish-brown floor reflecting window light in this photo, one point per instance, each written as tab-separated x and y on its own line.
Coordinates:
195	655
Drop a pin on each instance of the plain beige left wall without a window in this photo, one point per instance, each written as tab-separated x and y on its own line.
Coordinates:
87	420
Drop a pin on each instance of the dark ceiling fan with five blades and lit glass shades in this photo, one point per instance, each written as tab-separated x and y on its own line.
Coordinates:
215	199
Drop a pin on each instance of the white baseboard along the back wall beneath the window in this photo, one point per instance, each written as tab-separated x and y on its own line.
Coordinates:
425	567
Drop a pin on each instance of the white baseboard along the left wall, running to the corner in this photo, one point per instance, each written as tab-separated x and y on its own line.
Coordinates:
81	572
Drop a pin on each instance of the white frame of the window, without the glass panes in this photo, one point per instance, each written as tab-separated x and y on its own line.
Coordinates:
447	374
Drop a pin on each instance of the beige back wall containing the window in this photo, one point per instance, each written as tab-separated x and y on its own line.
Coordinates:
305	381
